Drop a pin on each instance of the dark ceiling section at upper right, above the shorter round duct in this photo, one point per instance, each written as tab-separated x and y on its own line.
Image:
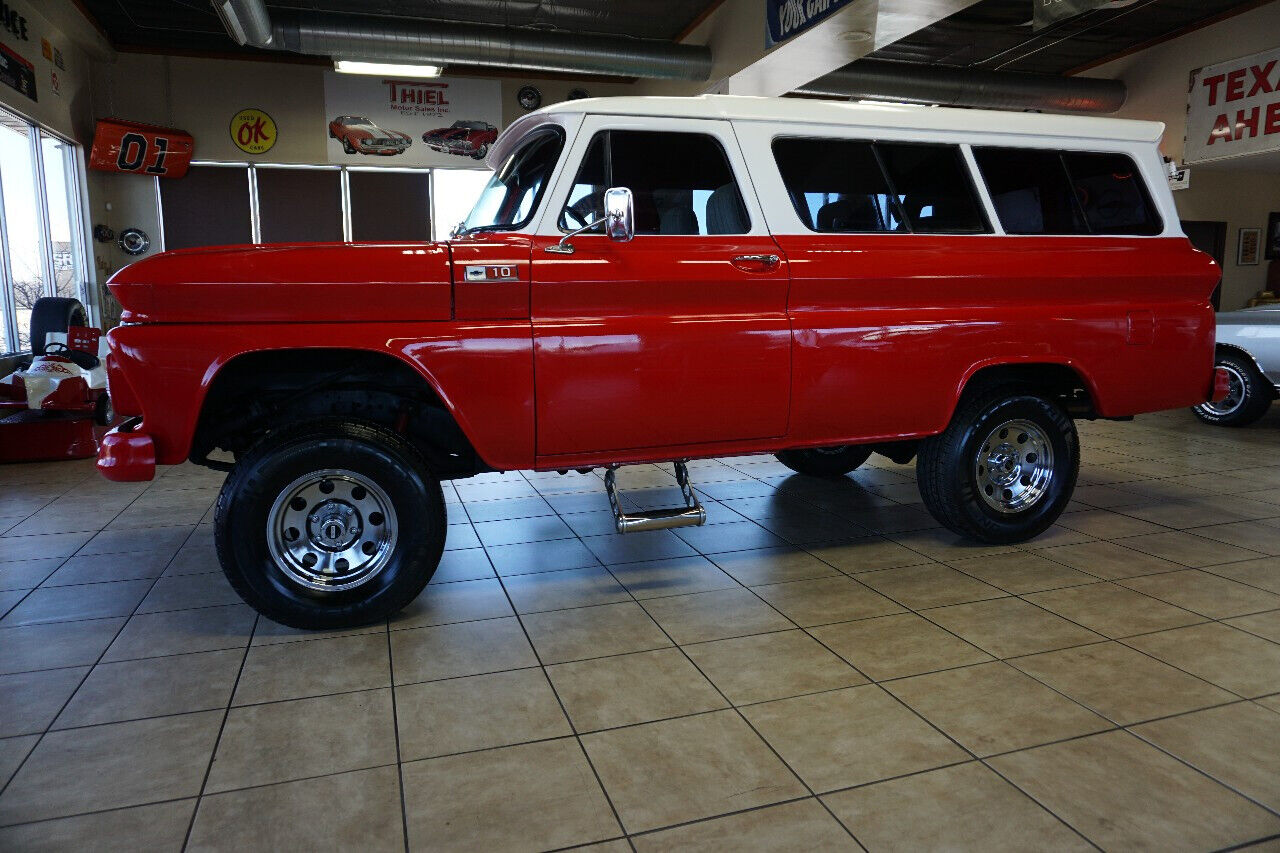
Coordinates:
998	35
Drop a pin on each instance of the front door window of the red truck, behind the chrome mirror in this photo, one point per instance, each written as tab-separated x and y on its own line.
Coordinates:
682	183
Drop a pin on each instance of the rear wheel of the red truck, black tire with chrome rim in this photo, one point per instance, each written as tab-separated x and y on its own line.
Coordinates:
949	467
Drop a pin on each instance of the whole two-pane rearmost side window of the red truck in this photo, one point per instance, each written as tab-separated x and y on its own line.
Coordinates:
1068	193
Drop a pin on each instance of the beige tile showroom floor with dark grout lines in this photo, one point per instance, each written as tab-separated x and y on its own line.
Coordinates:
820	668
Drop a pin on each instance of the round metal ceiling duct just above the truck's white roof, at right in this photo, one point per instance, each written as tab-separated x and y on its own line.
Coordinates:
894	81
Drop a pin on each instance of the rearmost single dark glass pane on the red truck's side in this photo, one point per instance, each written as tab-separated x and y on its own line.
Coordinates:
1113	194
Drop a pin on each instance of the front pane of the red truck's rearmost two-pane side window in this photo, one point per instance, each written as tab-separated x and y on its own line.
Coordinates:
1031	191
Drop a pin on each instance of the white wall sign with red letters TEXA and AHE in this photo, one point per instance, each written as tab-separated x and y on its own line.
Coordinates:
1235	110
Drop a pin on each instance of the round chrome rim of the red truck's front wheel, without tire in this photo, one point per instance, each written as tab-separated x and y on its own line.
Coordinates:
332	530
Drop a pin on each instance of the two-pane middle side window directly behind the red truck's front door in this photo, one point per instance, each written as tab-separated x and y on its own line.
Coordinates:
851	186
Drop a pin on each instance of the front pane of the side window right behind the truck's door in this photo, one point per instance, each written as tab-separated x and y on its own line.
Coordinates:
836	186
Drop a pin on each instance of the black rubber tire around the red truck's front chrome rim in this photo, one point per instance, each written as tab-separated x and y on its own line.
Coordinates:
245	514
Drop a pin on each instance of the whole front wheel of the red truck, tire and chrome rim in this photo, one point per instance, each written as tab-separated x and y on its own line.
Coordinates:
331	526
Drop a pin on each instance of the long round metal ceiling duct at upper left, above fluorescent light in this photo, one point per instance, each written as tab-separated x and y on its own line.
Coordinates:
441	44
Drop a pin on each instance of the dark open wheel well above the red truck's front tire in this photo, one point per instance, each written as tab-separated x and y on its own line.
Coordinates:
252	394
